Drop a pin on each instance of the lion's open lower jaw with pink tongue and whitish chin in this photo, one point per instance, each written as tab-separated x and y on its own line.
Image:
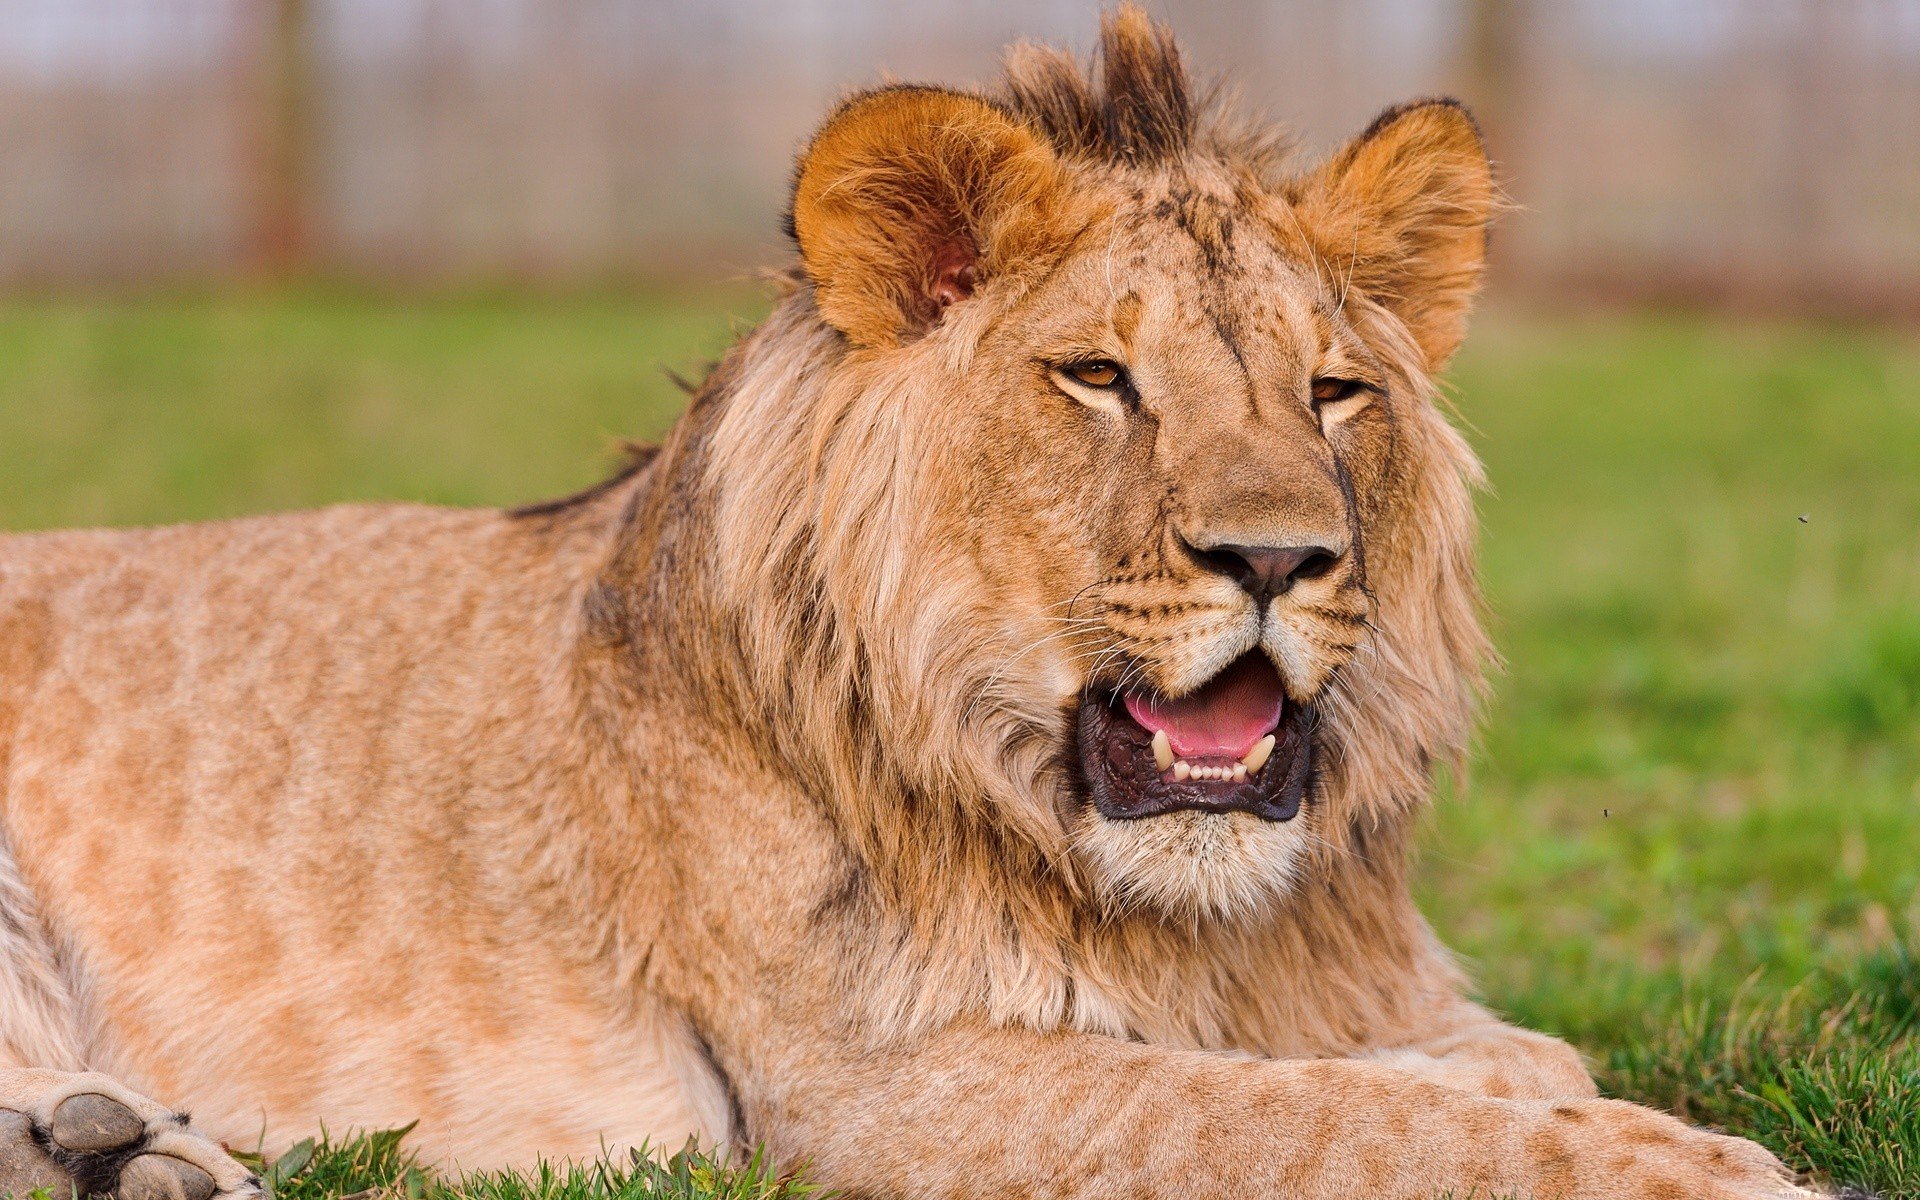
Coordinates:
1195	805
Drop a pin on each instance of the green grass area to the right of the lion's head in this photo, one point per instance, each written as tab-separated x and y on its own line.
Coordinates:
1689	840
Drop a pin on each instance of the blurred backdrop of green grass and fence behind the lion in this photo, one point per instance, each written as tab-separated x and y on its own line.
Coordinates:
268	254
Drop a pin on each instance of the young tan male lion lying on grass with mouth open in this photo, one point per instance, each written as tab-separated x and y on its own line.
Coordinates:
974	754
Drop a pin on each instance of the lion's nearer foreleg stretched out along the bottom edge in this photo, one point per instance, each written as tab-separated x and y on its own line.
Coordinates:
1078	1116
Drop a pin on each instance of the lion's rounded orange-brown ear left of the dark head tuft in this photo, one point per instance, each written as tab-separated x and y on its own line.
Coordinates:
913	197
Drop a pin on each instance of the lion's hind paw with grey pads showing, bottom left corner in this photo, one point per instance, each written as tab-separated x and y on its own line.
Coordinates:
87	1134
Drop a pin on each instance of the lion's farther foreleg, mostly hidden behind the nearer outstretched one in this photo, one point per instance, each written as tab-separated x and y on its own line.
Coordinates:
1483	1055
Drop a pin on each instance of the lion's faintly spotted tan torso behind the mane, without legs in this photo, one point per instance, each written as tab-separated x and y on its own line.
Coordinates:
276	784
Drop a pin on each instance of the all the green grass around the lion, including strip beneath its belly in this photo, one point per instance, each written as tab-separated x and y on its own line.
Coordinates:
1689	842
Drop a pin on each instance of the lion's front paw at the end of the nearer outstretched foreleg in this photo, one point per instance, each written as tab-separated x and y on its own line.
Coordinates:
1616	1151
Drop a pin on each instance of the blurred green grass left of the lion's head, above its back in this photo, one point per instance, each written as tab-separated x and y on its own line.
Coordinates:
183	410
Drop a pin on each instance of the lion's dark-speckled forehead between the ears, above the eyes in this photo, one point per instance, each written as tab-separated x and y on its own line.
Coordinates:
1176	258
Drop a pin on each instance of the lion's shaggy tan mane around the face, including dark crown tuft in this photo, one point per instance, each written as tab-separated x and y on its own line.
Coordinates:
786	554
